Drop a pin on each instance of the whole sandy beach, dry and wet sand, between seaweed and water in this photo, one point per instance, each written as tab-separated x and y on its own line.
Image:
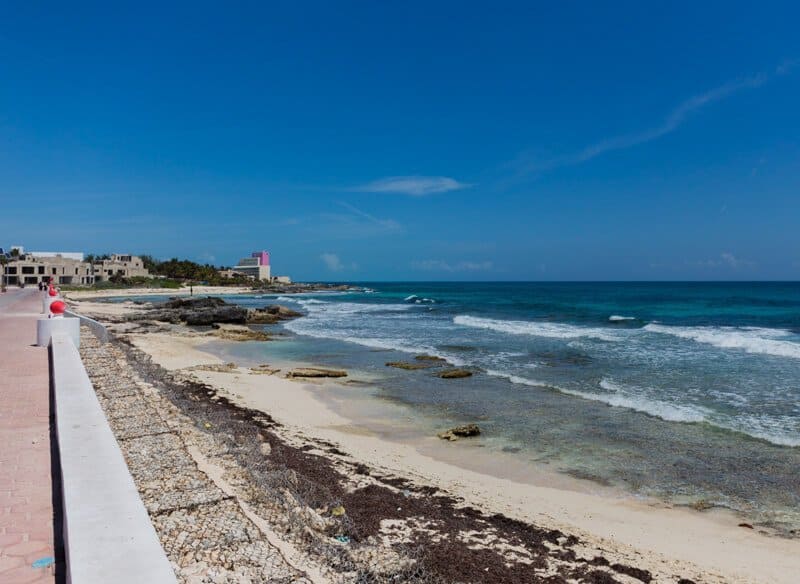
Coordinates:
703	547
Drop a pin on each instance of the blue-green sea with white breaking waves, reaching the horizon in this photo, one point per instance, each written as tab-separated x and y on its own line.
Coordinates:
684	391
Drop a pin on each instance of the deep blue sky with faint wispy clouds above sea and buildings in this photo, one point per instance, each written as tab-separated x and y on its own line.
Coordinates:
409	140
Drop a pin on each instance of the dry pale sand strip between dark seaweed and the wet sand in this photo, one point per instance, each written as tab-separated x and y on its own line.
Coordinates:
661	538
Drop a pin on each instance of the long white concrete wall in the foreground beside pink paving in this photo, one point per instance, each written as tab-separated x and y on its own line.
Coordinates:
108	536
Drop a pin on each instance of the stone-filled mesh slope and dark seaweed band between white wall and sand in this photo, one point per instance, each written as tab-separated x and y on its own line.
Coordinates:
248	500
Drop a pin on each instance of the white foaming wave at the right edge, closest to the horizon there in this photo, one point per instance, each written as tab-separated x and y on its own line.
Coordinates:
750	339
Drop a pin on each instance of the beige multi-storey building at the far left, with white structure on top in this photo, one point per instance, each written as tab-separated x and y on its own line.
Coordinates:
27	268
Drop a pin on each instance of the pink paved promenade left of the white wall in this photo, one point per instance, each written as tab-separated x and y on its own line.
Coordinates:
26	509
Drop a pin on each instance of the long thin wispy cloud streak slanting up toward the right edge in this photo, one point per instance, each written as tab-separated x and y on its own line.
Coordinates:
672	122
